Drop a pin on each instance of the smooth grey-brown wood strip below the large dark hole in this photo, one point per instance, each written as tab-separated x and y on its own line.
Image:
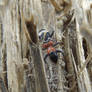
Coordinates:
39	70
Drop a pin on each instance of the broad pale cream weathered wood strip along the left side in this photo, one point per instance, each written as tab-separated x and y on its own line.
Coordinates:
13	45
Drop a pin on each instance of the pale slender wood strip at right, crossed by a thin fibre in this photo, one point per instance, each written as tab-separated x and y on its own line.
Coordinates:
80	54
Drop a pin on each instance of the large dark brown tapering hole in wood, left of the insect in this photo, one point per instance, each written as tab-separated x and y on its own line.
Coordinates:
31	28
